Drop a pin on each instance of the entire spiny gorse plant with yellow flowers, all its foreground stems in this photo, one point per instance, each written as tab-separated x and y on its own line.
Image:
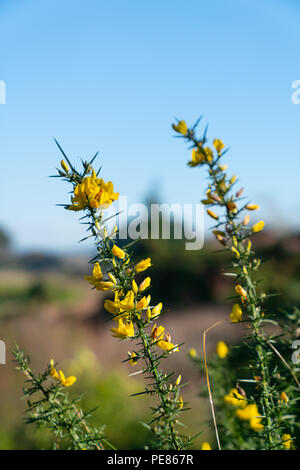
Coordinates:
253	389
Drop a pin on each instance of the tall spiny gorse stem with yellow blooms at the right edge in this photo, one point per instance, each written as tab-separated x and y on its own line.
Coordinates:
269	406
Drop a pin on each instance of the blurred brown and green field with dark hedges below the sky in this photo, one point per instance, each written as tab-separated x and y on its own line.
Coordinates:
49	310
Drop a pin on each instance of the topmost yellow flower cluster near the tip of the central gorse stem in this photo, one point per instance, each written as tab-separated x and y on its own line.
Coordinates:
93	192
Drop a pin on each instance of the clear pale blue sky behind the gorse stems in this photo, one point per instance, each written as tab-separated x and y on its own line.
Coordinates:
112	76
